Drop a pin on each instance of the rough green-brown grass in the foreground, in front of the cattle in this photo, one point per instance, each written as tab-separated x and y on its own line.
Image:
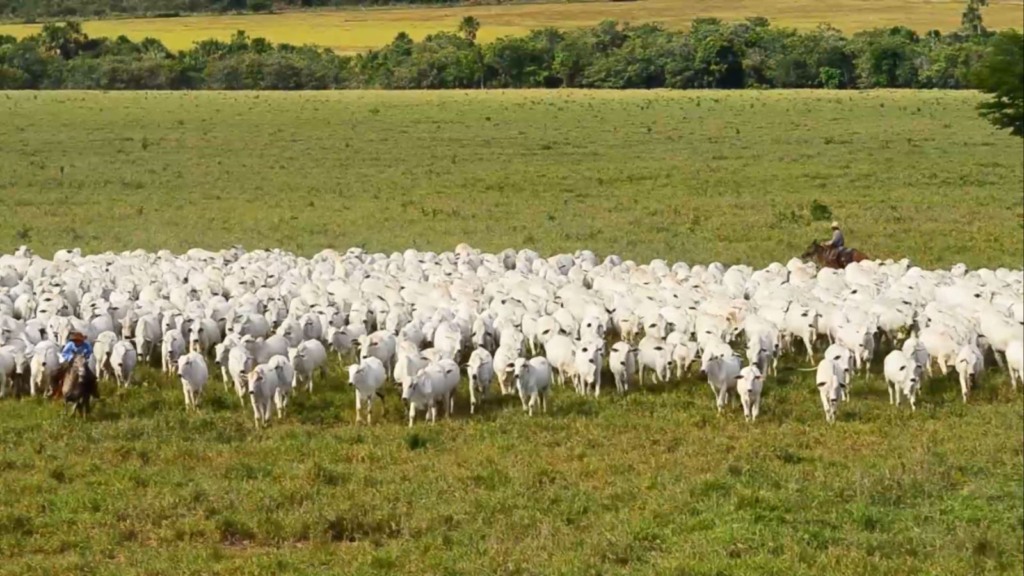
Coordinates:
654	483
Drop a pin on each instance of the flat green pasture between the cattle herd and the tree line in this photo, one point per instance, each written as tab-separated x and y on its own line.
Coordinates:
695	177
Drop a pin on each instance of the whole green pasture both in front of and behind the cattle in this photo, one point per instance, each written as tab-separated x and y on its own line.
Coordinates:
654	483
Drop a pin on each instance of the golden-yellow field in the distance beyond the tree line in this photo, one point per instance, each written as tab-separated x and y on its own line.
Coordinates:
358	30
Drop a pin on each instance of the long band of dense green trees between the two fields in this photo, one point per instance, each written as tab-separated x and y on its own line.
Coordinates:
711	54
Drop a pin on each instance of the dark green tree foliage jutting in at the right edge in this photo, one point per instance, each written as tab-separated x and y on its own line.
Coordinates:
1001	73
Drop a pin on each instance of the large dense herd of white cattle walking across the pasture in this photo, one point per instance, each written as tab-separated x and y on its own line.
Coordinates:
524	322
